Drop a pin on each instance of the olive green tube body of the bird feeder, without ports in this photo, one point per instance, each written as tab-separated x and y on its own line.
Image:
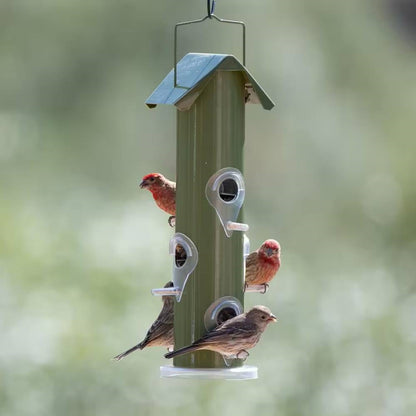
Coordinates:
210	136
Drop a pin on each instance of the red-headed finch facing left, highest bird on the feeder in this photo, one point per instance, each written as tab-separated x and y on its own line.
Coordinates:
163	191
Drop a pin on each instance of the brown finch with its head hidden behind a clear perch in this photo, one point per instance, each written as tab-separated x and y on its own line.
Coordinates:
160	333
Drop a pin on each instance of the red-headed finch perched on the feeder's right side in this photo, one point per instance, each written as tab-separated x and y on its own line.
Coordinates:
263	264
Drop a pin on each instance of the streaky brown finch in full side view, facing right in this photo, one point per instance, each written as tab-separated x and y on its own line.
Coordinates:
234	337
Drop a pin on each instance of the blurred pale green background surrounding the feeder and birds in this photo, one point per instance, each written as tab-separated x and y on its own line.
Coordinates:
330	172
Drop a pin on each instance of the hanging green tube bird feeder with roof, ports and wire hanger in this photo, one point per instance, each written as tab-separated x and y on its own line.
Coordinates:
210	92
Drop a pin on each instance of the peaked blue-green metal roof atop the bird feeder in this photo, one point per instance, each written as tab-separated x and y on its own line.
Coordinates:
193	71
